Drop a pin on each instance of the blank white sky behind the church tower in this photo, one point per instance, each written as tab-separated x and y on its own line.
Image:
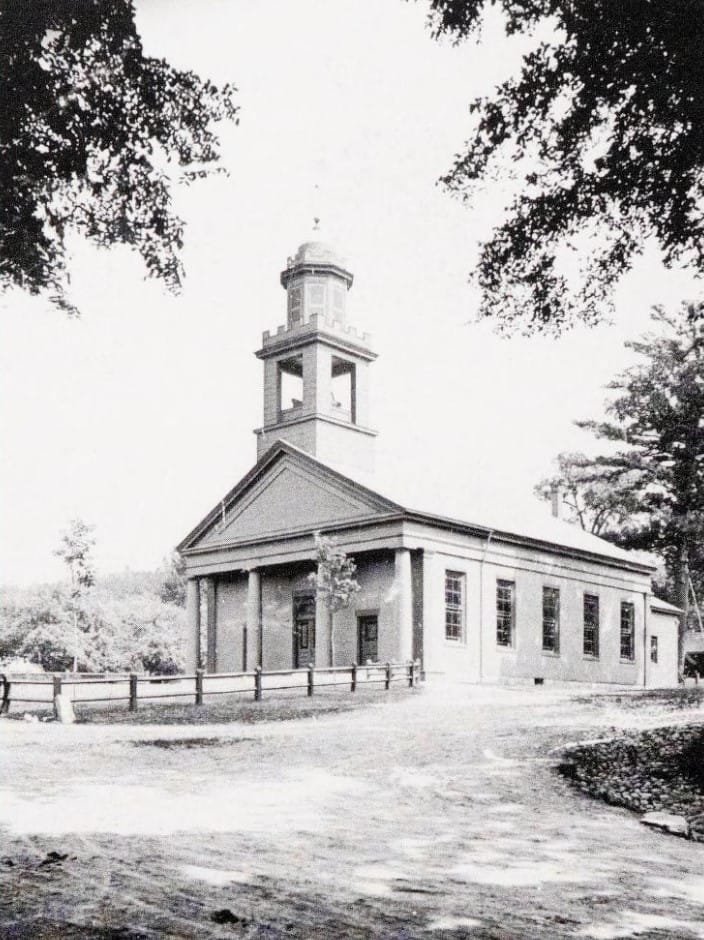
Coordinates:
138	416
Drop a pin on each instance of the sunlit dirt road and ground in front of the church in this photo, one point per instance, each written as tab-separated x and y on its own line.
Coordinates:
436	813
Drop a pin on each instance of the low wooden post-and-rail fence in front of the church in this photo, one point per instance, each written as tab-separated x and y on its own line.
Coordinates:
134	688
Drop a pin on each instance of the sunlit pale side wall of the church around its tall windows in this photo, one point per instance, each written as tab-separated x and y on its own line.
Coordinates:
479	655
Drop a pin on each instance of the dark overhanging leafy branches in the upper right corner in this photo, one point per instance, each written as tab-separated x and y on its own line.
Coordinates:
604	128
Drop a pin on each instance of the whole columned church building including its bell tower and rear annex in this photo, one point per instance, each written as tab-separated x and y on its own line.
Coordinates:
530	597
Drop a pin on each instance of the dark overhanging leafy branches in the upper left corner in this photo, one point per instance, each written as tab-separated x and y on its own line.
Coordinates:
91	132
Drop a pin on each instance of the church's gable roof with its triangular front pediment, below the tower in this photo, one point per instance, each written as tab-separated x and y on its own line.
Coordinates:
293	489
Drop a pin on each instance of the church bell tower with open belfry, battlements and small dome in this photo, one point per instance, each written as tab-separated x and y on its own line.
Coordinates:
316	367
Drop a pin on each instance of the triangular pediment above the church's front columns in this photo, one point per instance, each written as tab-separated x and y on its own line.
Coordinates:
286	491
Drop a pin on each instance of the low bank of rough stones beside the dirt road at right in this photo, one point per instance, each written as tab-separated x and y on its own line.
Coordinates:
660	771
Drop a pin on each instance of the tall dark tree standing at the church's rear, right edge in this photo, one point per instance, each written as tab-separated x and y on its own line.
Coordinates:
657	435
